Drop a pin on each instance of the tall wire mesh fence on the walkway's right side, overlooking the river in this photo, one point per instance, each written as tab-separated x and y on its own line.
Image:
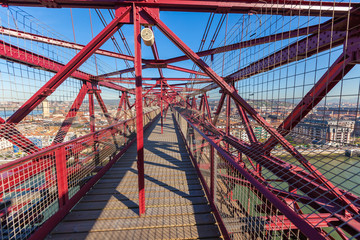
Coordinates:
295	130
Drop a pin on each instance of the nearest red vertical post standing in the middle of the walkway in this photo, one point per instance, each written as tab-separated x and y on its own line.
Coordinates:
139	110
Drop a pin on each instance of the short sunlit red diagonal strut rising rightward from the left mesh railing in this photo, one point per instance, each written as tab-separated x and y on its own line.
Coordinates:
66	124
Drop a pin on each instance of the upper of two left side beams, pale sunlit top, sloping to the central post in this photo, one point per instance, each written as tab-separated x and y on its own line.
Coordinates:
61	43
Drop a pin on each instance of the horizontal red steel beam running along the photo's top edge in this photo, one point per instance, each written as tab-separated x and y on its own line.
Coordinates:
282	7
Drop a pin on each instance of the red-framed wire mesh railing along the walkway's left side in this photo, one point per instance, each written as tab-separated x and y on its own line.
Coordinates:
36	187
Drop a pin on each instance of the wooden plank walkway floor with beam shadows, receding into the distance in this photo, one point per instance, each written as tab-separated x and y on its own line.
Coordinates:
176	205
